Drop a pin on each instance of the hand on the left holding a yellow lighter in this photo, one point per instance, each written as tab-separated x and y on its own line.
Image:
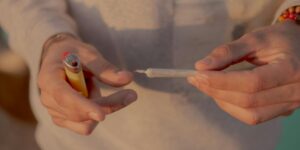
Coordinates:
67	107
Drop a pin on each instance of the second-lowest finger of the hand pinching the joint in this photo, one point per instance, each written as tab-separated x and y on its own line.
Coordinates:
282	94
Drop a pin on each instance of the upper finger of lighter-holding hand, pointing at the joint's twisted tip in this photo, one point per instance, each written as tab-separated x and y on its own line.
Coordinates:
104	70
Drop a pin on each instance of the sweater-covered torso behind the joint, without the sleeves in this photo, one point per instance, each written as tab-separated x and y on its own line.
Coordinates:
169	114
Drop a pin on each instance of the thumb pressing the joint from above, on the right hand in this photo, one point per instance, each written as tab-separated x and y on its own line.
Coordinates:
224	56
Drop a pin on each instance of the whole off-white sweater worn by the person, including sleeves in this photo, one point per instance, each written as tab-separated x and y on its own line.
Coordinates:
136	34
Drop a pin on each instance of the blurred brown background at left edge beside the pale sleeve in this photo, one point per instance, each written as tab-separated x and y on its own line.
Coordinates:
17	123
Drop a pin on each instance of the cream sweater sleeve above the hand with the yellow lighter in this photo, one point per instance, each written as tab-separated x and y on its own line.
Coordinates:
29	23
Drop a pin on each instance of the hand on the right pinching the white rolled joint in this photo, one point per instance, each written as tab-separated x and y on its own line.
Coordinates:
269	90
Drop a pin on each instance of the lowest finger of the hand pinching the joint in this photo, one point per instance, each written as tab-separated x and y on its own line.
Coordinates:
258	115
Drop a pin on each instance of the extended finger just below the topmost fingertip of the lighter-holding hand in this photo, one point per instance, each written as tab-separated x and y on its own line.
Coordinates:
117	101
